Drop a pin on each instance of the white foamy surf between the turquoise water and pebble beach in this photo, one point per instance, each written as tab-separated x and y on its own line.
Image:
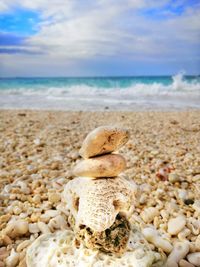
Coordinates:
179	94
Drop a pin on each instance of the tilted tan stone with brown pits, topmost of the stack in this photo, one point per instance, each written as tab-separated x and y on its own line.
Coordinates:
103	140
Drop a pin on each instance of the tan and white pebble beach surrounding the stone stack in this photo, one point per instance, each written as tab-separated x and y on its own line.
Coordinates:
38	150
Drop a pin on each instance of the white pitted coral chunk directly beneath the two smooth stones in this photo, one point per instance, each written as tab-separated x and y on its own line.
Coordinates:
96	203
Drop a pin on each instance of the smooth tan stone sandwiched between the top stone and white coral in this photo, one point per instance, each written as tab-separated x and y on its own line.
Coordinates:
104	166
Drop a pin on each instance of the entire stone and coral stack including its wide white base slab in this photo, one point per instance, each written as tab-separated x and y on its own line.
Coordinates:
99	203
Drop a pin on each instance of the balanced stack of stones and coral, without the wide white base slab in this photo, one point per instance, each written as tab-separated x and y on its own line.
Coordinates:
99	198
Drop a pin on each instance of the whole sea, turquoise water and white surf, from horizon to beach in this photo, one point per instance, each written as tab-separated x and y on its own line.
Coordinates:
178	92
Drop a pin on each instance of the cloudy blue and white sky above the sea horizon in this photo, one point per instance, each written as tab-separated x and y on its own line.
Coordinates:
99	37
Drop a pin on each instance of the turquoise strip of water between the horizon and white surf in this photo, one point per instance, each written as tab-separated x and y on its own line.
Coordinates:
104	82
